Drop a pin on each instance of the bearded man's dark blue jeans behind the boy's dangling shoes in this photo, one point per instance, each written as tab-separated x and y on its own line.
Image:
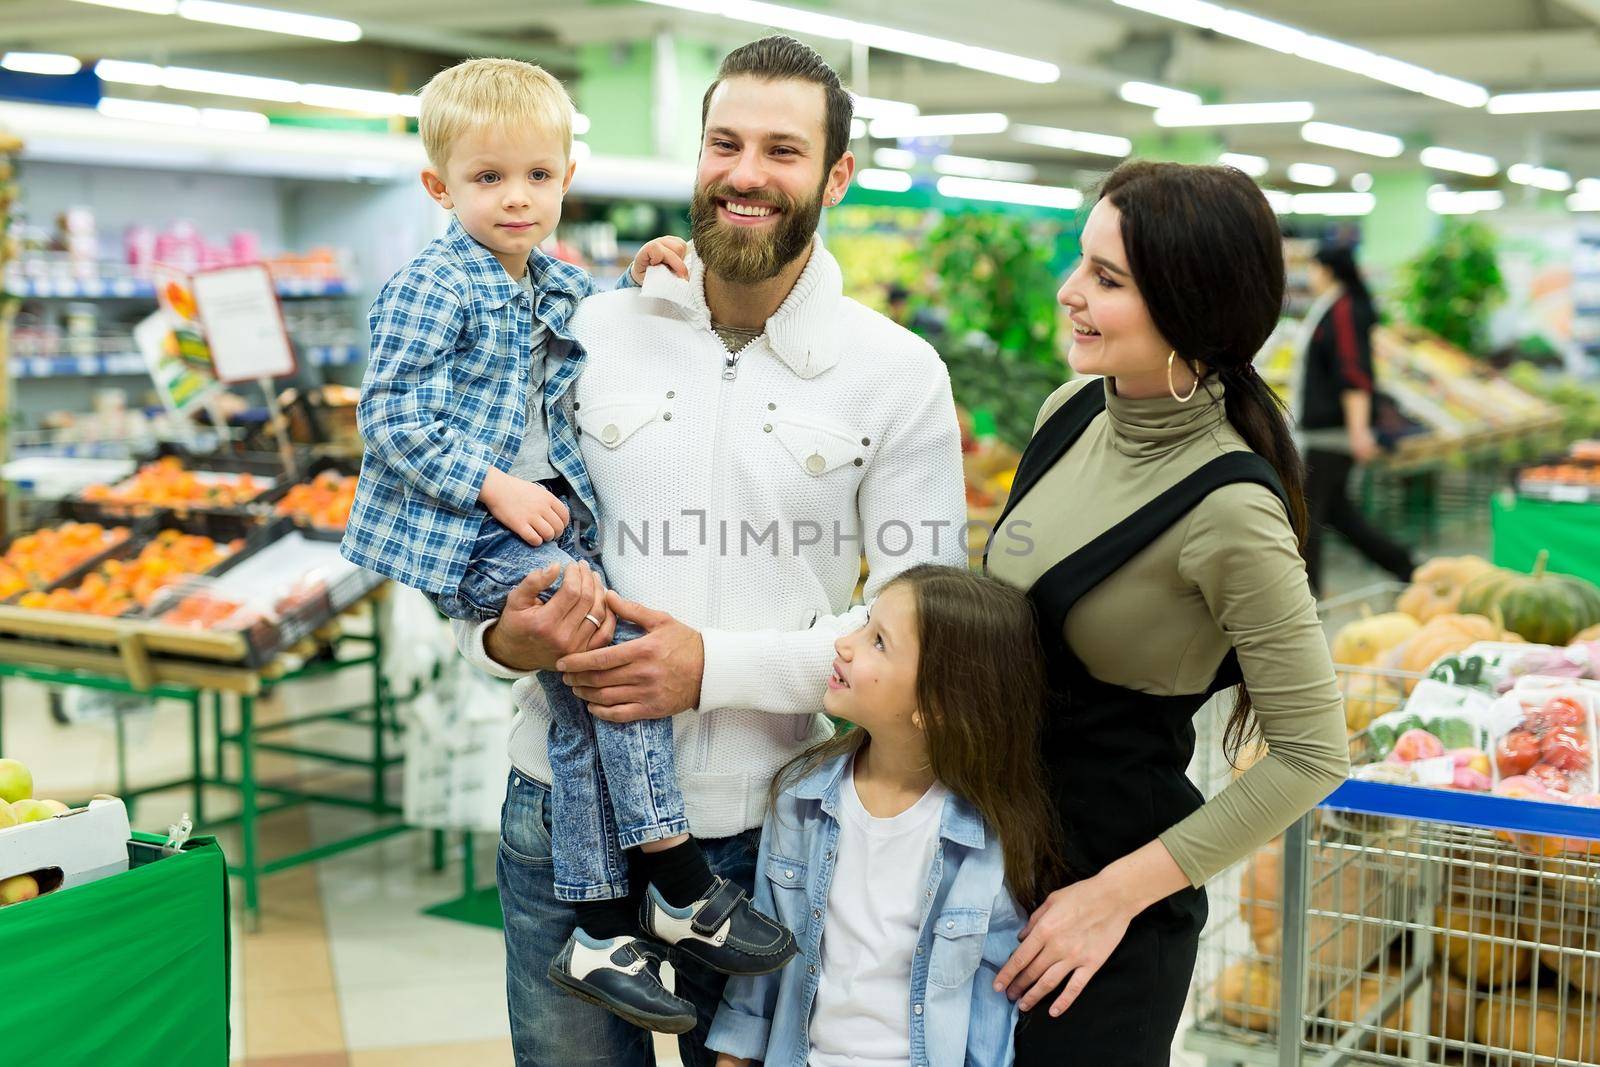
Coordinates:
548	1028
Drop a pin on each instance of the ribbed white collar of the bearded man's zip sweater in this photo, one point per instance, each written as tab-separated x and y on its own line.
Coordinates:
804	332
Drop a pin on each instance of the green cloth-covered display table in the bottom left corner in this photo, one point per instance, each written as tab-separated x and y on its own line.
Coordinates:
132	970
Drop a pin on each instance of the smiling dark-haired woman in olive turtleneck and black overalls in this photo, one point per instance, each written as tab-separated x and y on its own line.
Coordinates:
1156	522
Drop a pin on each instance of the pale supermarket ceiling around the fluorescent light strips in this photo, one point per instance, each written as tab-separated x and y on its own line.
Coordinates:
1505	46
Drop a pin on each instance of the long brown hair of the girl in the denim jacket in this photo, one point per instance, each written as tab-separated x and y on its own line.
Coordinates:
982	698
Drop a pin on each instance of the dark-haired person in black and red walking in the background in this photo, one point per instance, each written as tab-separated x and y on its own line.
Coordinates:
1337	412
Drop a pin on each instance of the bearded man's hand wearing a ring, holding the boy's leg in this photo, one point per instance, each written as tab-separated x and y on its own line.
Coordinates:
534	634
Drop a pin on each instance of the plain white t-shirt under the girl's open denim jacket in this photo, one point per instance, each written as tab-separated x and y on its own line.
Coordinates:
874	914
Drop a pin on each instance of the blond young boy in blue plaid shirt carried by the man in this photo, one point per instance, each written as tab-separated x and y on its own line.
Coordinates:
473	481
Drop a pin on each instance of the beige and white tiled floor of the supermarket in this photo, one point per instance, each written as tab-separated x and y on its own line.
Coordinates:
346	972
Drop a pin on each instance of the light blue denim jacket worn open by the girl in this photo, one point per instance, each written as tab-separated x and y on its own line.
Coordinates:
969	932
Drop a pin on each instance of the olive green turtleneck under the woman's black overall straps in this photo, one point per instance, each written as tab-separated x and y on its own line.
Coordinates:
1225	577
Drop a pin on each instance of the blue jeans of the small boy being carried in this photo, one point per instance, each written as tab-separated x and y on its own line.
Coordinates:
614	785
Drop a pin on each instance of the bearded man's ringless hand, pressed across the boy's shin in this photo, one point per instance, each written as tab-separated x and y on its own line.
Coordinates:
650	677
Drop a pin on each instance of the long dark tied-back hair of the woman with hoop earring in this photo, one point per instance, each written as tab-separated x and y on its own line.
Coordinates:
1207	255
